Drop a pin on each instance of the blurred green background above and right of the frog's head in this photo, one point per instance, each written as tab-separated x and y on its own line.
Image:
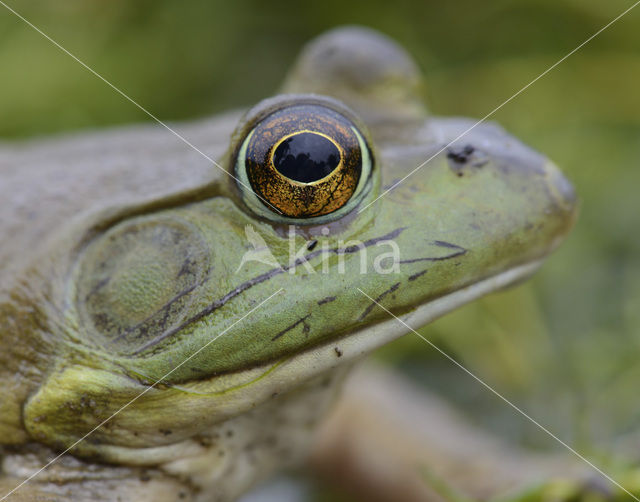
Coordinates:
564	347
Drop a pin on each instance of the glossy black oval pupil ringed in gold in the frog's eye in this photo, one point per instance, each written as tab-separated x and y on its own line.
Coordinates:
306	157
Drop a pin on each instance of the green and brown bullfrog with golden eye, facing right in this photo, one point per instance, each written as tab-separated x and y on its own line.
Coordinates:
178	311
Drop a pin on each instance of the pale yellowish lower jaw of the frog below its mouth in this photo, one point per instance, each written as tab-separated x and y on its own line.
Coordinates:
133	436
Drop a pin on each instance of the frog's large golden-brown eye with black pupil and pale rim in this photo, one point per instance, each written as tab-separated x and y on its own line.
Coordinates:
303	162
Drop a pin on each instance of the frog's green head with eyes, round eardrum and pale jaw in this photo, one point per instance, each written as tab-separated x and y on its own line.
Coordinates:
230	295
